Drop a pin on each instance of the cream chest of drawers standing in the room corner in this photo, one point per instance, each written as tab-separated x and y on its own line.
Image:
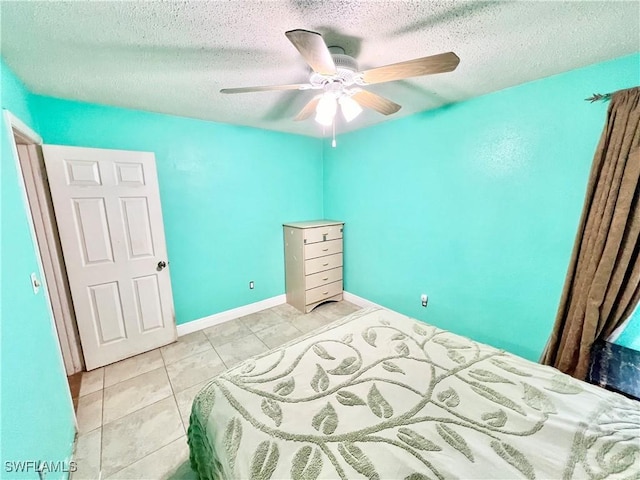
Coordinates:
313	263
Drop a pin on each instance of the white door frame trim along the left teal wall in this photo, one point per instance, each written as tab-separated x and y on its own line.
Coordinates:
14	124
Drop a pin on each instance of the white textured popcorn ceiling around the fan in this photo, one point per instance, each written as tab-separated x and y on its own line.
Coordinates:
174	57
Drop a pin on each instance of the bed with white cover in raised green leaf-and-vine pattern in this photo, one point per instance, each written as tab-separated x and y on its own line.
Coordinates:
379	395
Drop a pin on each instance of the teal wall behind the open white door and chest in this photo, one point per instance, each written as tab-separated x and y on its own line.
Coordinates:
225	192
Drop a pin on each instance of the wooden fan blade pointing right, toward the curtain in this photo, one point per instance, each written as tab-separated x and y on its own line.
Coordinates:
441	63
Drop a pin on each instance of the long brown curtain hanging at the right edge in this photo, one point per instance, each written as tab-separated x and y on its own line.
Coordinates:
603	282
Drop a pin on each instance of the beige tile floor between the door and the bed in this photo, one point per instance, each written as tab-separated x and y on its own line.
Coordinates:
133	415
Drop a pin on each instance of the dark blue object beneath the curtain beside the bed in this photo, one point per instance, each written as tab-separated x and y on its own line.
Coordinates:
615	368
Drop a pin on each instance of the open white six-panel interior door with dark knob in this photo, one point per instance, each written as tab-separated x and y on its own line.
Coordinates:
107	205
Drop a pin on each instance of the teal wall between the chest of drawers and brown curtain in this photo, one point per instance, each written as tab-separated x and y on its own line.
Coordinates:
475	204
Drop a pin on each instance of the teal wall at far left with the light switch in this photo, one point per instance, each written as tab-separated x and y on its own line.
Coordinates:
35	409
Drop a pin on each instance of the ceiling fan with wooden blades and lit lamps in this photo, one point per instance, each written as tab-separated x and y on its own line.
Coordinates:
336	75
